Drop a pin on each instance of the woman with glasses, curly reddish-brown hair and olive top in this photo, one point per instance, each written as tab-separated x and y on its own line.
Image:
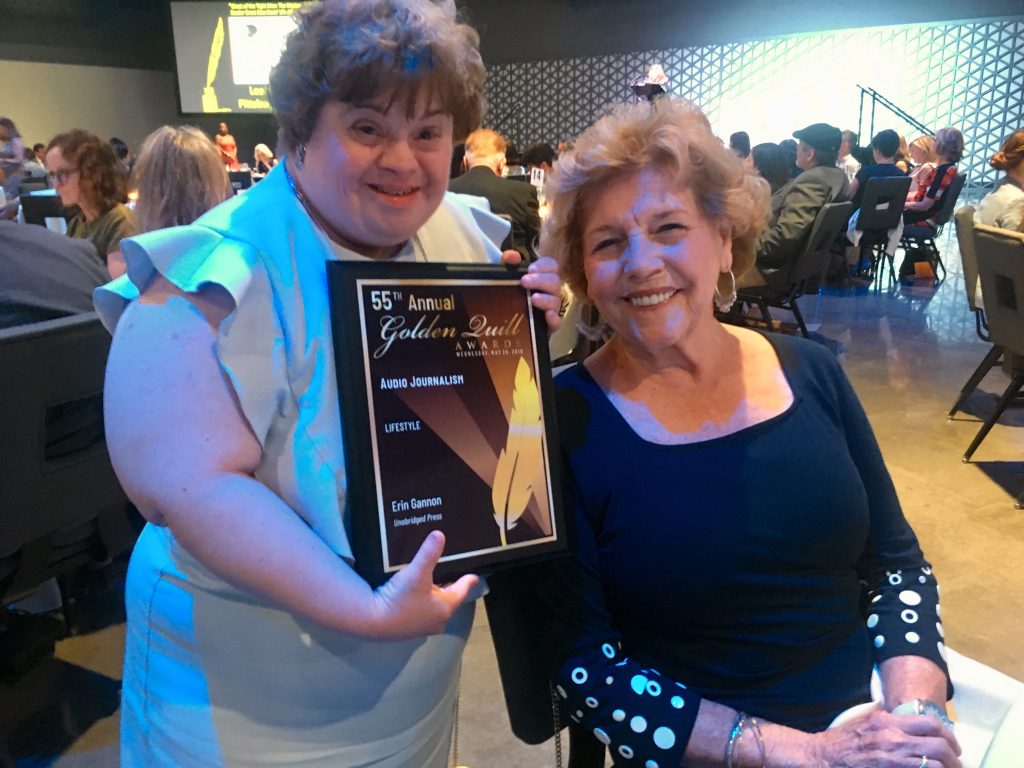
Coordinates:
86	173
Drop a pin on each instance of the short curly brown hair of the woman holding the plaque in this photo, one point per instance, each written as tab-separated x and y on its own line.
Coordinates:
354	51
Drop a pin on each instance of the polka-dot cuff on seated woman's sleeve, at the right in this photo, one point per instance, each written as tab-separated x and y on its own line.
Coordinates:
904	617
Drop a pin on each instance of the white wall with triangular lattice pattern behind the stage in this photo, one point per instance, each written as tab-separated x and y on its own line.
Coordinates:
970	76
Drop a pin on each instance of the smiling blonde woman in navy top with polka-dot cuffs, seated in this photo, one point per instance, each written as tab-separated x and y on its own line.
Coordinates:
724	605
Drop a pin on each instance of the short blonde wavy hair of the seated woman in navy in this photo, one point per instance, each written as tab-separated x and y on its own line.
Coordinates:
673	138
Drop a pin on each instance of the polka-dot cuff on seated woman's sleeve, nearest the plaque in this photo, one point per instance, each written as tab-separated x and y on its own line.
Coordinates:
642	716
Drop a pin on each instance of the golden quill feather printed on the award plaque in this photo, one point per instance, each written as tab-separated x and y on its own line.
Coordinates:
522	457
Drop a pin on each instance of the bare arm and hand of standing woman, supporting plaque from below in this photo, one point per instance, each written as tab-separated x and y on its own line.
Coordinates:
186	456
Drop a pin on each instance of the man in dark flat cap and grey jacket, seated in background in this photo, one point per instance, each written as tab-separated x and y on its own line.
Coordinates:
797	204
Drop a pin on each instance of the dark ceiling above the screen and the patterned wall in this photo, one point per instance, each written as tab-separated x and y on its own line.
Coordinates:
138	33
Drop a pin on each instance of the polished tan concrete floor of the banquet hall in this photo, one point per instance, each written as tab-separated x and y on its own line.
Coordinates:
908	351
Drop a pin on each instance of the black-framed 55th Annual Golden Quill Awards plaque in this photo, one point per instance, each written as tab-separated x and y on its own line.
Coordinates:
446	396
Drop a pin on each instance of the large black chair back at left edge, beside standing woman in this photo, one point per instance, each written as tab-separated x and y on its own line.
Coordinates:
61	504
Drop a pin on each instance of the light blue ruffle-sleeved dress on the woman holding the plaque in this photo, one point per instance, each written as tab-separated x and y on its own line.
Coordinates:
214	676
